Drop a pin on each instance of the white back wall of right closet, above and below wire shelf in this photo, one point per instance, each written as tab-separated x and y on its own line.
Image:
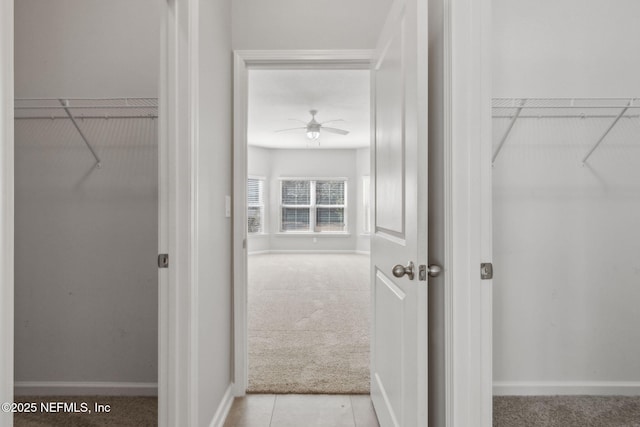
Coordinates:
566	236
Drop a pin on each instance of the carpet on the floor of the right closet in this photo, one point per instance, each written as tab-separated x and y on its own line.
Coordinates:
566	411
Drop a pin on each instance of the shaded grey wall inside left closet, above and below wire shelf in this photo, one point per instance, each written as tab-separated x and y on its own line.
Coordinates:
86	240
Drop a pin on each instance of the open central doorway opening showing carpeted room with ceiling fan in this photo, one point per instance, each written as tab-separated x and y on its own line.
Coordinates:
308	225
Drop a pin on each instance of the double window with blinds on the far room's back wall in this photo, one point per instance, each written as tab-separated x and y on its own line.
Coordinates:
313	205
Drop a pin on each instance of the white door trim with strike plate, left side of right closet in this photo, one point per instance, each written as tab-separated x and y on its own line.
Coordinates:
468	234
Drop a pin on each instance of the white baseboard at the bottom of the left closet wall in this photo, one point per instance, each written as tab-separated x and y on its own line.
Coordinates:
84	388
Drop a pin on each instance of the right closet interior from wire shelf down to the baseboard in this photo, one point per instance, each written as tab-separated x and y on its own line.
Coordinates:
566	221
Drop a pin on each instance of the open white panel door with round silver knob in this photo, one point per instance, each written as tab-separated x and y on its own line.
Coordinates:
399	159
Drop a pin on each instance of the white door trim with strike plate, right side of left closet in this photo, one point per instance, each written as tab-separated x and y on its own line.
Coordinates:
178	314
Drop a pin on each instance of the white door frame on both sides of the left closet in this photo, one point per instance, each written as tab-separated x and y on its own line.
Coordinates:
177	317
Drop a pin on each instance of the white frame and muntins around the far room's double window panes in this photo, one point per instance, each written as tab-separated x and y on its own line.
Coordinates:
313	206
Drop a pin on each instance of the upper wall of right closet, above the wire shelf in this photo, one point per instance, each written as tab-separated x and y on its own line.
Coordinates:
567	48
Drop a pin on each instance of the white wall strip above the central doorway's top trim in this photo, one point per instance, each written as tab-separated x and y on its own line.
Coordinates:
328	24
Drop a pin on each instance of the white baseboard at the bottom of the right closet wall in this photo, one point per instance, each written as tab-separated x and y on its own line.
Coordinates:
553	388
